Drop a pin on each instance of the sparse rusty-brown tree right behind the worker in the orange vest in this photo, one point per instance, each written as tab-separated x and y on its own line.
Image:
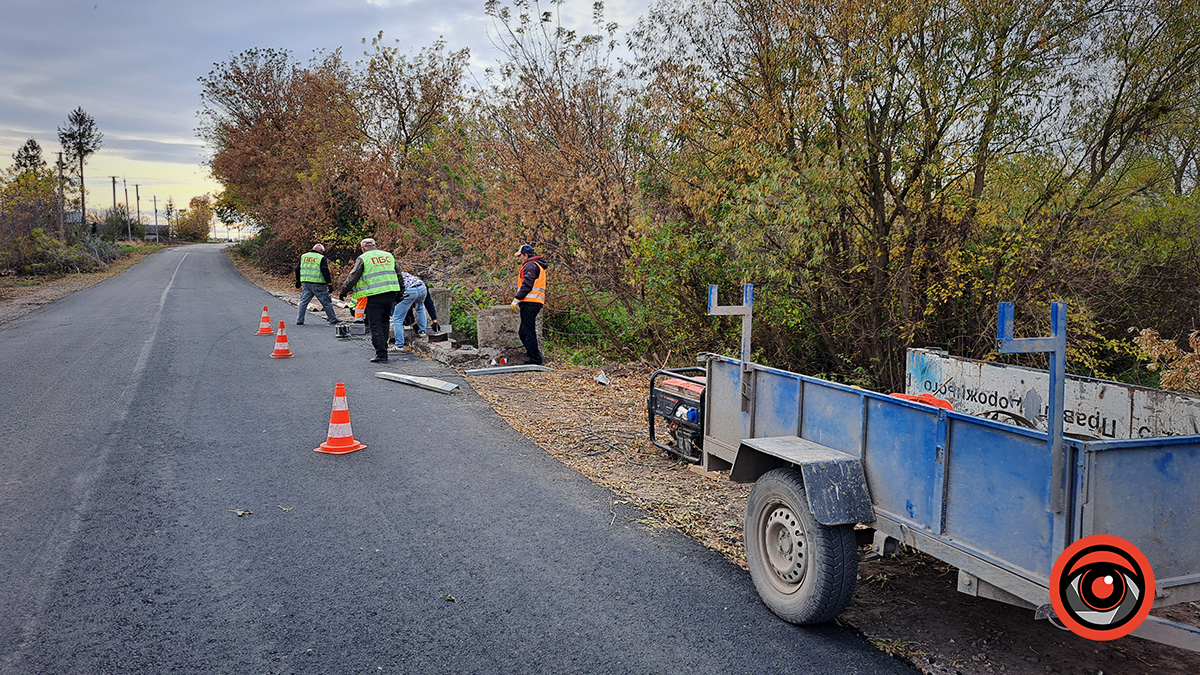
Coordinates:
557	164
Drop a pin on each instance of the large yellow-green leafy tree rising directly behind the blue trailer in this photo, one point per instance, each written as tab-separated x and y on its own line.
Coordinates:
889	172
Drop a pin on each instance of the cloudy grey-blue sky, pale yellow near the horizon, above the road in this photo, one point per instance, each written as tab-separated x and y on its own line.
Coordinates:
134	65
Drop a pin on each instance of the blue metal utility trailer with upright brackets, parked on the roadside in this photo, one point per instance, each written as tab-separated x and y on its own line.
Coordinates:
995	500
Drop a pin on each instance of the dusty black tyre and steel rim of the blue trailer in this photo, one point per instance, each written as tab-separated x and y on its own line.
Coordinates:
806	572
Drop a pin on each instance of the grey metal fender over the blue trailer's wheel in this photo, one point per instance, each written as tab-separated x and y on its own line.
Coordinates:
833	481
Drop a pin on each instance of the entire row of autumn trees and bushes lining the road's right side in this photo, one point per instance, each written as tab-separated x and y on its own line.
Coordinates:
885	172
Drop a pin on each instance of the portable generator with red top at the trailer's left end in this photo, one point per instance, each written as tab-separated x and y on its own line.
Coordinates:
680	401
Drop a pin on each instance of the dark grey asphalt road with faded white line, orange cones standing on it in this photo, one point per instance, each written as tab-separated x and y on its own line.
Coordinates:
142	414
